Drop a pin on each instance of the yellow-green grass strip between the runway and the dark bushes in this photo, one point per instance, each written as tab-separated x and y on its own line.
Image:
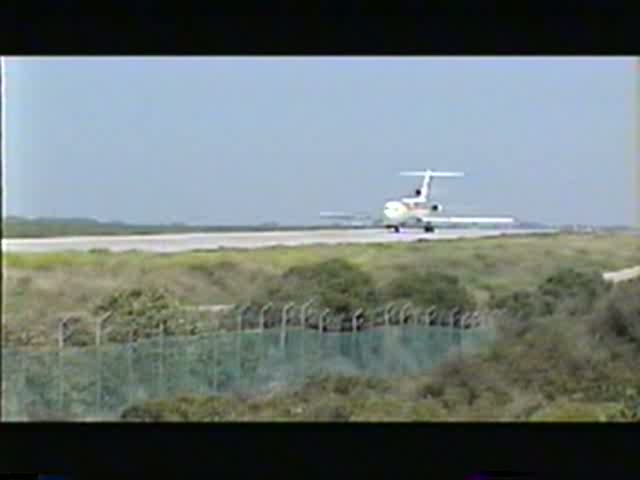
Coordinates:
37	288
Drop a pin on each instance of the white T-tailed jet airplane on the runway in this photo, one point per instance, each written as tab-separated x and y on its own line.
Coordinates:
421	208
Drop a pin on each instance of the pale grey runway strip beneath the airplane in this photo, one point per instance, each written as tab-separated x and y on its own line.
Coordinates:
241	240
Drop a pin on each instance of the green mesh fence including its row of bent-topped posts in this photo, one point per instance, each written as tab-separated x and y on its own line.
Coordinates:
100	379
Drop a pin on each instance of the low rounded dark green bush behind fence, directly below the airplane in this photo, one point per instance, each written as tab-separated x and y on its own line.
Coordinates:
429	288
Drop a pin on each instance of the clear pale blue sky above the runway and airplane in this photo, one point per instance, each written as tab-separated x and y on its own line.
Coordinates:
244	140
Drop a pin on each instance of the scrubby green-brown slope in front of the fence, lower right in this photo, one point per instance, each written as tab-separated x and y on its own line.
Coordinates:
562	364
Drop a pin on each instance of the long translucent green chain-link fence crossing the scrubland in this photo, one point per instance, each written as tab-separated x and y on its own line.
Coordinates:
98	382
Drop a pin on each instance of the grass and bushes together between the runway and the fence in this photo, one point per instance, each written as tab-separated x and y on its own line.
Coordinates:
142	288
